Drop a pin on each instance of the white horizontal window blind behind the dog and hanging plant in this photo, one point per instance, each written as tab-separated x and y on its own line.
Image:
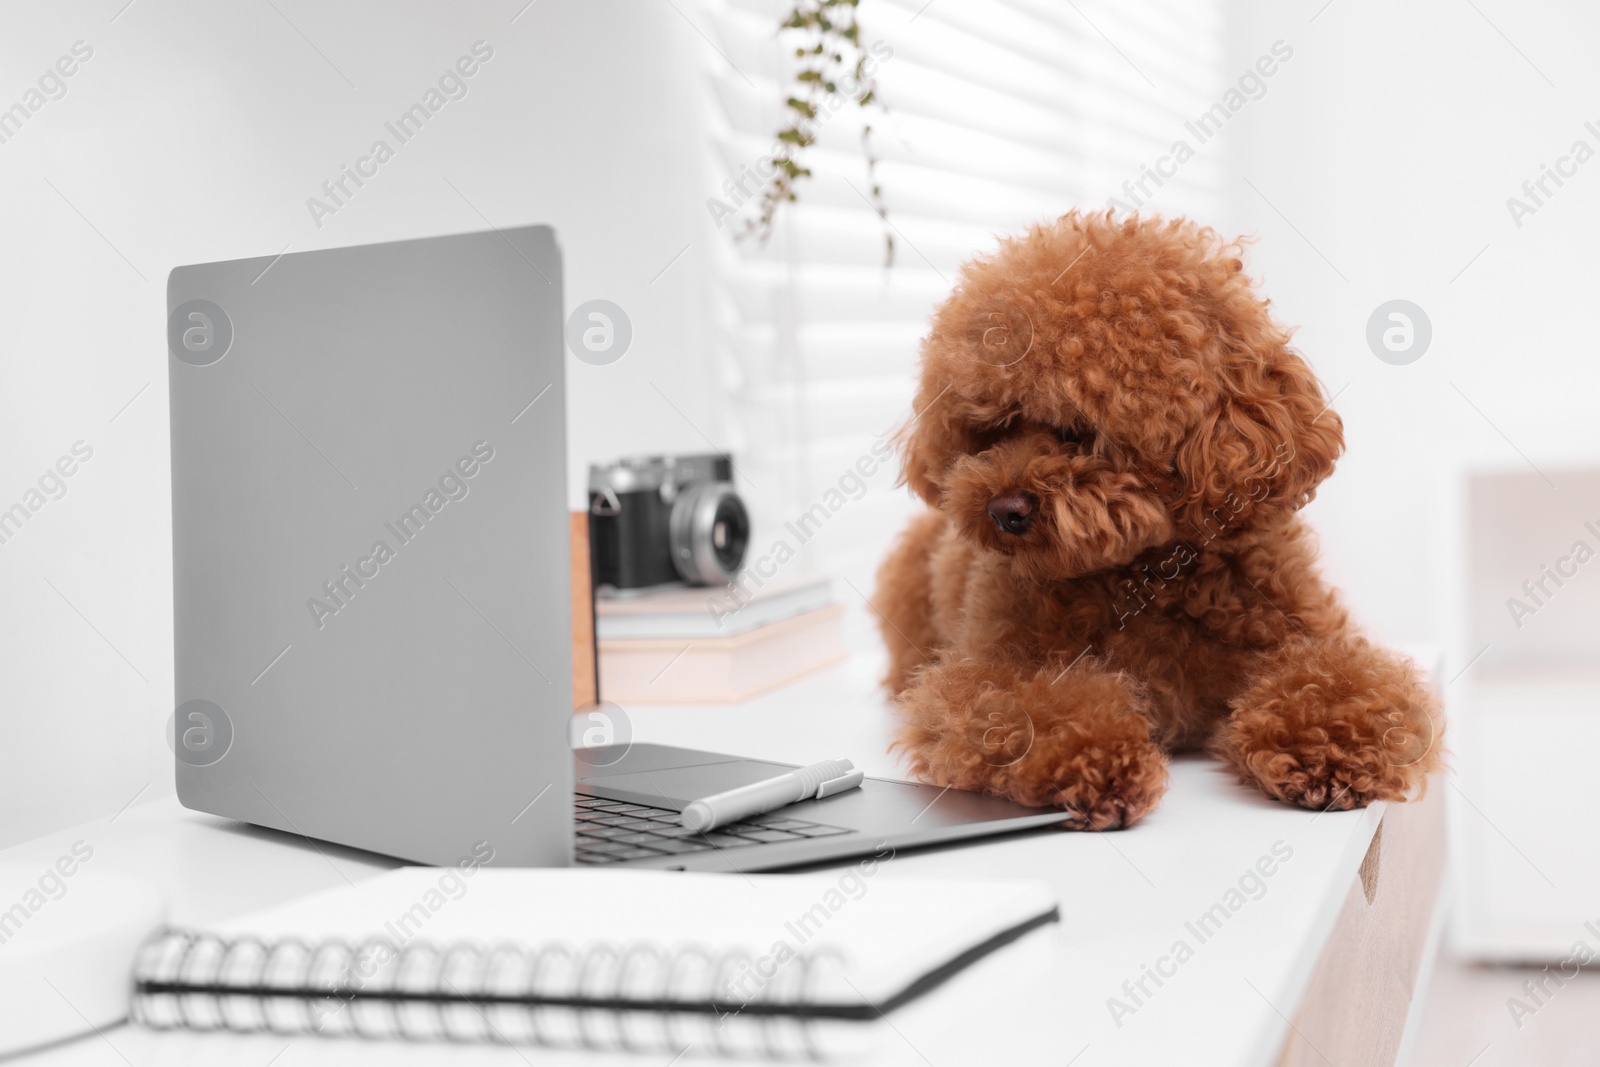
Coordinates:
1001	113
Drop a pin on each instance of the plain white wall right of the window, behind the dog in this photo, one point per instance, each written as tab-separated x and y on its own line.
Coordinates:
1388	148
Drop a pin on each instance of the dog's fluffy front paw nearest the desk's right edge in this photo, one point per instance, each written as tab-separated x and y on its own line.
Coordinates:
1335	725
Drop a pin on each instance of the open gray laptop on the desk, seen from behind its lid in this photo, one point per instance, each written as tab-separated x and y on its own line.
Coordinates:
372	581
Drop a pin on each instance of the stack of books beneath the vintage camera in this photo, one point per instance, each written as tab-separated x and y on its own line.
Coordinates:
697	645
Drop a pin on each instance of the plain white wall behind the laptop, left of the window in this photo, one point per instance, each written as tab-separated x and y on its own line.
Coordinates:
198	132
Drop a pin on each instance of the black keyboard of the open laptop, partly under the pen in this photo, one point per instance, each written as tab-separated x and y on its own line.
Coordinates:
612	831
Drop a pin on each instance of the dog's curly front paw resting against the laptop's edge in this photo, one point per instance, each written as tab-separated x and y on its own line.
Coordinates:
1057	738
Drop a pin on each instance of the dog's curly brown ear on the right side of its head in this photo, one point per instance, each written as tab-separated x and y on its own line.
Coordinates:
1266	446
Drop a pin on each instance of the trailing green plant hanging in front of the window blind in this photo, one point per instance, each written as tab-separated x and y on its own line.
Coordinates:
831	60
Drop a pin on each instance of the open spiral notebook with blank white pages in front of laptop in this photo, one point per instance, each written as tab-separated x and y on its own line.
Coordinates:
769	965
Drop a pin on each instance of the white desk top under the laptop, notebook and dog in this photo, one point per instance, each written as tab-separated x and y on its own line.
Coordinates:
1127	901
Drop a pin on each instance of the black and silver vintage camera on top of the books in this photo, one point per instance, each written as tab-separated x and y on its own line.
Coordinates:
666	519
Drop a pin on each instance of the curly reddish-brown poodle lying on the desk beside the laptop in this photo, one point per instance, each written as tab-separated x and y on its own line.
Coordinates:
1114	439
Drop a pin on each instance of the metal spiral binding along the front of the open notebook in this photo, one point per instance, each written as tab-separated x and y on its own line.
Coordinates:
607	997
